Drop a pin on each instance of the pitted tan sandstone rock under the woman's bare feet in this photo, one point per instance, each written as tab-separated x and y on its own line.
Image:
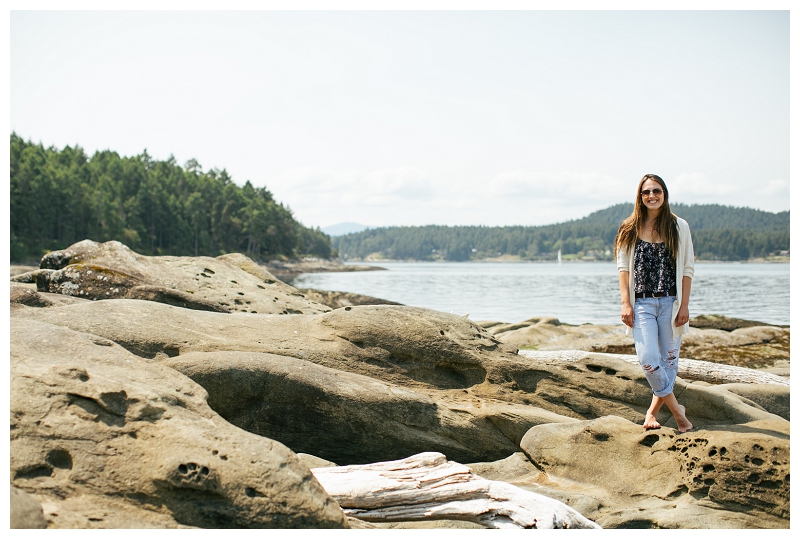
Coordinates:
734	468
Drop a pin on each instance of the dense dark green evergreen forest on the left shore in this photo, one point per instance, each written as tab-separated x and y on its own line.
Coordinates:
154	207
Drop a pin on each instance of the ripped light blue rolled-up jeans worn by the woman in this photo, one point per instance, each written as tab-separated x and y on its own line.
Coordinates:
655	348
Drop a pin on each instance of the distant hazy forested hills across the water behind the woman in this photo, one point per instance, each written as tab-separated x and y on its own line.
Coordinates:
718	233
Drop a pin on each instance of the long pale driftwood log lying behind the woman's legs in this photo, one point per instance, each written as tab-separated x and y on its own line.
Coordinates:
688	369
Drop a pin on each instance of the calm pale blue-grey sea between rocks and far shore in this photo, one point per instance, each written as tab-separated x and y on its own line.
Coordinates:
575	293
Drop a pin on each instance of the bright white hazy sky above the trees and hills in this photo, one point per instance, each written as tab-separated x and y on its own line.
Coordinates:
424	117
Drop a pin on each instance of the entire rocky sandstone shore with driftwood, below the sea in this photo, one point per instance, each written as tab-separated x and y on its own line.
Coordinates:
185	392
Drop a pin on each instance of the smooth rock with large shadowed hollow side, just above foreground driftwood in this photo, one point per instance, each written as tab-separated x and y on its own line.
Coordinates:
350	418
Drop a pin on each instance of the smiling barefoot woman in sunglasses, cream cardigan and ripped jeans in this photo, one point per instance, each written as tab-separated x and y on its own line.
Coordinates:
655	259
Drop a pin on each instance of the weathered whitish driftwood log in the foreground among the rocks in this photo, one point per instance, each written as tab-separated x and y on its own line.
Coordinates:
429	487
